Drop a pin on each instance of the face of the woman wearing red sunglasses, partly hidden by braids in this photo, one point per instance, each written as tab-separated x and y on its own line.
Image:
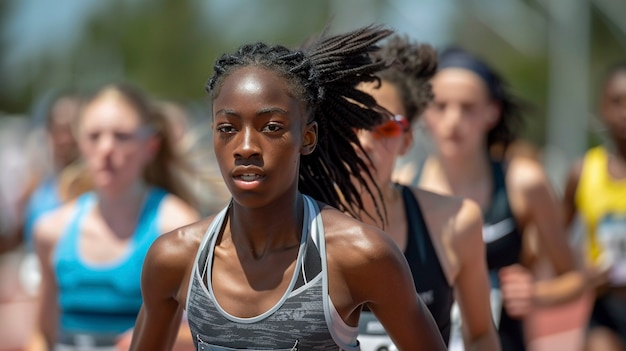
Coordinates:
384	148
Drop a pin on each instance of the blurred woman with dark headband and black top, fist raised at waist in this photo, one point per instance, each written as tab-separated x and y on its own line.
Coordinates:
471	116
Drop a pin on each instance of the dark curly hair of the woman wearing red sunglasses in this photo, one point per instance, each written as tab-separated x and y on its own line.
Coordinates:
412	67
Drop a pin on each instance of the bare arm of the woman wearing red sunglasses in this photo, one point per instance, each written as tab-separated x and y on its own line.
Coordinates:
471	286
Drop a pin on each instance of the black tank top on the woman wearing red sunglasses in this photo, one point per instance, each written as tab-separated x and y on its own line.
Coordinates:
428	275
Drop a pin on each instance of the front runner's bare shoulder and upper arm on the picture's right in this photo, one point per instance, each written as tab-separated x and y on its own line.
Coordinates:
367	267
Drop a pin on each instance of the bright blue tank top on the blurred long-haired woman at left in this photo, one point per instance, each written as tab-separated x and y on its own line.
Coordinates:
103	298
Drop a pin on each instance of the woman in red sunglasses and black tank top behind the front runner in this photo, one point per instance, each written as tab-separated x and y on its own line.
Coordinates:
439	235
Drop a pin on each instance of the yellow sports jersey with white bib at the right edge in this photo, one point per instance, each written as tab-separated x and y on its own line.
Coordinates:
601	204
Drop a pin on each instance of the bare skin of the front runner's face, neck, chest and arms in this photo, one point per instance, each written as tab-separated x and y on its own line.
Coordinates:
260	132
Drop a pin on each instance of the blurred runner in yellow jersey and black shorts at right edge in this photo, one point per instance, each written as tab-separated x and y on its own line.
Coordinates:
596	194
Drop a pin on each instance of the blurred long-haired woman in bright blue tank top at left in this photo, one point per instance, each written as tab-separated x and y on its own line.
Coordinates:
92	249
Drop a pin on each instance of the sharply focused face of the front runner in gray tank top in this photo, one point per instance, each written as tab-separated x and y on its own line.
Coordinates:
259	132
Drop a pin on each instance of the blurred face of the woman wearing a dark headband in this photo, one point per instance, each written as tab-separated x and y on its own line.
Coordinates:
461	113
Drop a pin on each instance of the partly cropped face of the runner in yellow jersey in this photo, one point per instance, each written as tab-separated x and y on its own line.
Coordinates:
613	107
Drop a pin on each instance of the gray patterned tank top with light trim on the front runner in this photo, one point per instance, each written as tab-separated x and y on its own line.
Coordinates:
303	319
